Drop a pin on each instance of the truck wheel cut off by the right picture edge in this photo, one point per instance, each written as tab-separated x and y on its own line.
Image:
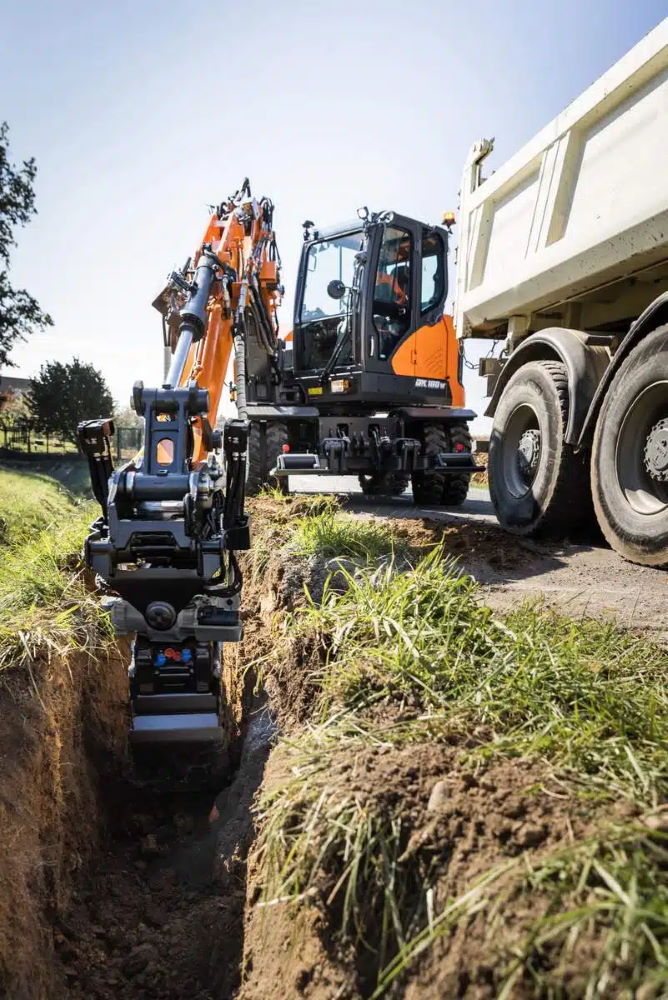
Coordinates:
629	462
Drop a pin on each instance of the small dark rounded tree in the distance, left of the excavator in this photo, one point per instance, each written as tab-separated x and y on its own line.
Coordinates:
62	395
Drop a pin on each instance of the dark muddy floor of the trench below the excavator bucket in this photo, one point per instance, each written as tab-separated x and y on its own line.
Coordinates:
161	915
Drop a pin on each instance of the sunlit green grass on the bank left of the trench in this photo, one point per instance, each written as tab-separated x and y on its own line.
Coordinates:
45	605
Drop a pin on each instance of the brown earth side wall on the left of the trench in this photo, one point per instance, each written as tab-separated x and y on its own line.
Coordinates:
62	724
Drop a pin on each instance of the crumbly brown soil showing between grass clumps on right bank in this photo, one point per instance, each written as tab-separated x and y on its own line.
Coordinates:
459	822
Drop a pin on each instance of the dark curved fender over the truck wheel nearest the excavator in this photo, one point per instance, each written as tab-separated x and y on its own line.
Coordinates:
586	358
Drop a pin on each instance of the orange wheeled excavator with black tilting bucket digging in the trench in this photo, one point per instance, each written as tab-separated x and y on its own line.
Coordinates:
370	385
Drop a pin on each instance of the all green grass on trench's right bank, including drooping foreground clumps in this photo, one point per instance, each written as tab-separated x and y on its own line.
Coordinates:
416	656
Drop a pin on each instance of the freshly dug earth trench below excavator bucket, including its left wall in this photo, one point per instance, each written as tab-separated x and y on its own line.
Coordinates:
112	885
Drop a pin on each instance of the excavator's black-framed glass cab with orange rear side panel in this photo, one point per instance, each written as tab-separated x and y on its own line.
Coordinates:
368	322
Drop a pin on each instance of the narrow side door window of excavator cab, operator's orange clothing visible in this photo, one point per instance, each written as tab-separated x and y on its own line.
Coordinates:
392	290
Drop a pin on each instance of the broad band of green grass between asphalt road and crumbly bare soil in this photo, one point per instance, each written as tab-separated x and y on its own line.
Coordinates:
584	694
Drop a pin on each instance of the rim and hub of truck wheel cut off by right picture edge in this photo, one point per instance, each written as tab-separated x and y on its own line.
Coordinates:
641	459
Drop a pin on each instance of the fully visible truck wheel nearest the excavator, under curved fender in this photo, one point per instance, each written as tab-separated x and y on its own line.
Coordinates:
537	484
